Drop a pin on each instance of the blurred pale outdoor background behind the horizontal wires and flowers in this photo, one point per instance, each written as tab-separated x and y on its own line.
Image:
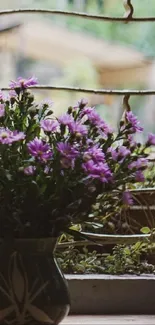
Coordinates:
74	51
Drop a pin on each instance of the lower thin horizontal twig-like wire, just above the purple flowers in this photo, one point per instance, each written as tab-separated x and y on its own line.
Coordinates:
92	91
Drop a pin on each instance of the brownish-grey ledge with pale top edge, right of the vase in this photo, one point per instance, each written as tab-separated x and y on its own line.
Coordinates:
107	294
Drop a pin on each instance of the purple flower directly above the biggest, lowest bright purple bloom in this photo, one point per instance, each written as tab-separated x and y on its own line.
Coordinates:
94	153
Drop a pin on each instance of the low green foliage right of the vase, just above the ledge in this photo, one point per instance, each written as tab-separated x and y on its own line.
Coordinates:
122	260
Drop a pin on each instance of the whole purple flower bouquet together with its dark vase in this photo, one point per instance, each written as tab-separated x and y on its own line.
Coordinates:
52	171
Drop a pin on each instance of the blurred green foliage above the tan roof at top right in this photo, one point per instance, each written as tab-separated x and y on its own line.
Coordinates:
139	35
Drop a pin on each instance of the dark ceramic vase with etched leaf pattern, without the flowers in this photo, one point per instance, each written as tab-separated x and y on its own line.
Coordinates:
32	289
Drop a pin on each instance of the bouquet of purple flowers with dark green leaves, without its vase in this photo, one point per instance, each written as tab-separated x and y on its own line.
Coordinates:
52	170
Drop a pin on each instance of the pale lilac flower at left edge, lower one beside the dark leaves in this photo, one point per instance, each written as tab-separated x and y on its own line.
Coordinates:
8	137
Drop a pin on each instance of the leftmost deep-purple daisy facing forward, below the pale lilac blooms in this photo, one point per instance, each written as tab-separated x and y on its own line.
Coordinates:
40	149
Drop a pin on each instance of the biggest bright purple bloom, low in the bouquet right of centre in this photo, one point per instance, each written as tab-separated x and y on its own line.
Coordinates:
99	171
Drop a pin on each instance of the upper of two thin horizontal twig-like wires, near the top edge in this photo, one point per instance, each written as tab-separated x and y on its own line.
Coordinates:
76	14
